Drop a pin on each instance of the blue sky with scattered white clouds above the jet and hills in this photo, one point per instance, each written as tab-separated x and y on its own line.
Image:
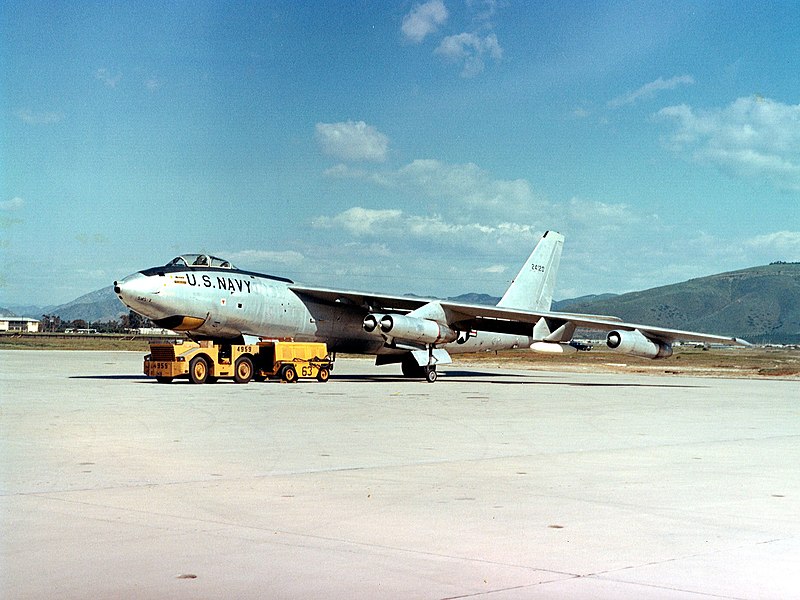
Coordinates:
397	146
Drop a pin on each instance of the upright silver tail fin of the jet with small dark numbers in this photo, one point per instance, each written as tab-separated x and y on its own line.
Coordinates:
532	289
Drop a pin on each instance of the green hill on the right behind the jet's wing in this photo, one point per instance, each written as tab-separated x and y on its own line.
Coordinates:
760	304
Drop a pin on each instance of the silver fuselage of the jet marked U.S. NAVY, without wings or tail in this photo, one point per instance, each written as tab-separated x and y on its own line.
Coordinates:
227	303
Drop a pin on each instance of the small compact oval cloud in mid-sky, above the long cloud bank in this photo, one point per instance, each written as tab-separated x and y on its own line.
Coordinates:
352	141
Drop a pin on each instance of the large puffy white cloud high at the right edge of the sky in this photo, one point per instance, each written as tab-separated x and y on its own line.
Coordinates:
753	137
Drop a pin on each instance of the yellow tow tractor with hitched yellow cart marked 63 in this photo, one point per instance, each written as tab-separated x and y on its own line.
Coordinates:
206	361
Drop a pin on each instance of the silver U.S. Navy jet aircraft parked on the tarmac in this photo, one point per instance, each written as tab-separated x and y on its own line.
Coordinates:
208	298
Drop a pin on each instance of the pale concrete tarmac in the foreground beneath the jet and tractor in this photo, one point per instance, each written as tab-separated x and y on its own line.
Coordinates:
487	484
